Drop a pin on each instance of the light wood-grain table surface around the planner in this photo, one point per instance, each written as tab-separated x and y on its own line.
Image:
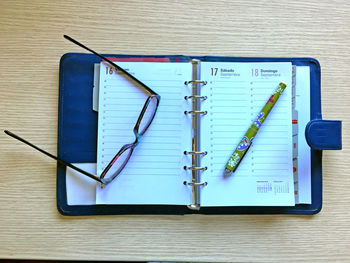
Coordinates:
31	45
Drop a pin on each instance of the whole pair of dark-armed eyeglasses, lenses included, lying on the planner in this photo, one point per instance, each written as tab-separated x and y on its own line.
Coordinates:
119	161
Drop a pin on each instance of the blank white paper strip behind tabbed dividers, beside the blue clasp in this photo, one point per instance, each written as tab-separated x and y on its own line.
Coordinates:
302	102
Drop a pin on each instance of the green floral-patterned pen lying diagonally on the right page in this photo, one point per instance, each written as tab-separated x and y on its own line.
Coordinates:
247	140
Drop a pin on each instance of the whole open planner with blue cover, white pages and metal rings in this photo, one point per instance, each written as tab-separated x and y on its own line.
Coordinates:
206	106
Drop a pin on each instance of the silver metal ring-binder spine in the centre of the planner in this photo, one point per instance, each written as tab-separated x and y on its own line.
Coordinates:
196	153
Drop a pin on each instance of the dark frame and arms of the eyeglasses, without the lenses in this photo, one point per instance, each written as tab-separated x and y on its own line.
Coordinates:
138	135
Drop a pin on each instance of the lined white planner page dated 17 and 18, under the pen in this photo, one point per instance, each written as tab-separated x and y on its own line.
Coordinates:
236	94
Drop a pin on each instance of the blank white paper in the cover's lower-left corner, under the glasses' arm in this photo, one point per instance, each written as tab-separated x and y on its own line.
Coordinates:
81	190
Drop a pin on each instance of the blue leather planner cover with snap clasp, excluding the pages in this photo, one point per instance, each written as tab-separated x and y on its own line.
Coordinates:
77	134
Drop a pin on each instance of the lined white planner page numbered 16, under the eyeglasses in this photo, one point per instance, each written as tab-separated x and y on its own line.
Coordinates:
154	174
